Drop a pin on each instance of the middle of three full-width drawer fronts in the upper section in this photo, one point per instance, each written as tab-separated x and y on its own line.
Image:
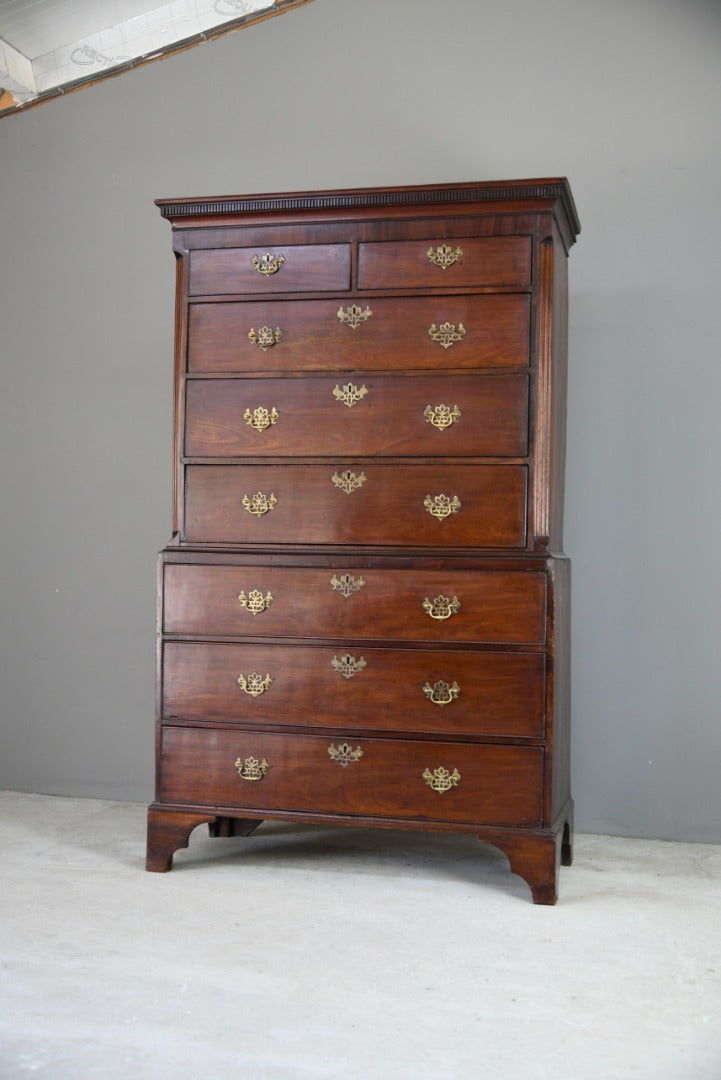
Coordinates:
378	415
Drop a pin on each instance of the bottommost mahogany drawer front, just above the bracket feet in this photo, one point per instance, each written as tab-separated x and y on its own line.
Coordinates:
495	785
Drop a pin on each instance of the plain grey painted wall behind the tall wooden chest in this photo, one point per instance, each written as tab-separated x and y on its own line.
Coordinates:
624	100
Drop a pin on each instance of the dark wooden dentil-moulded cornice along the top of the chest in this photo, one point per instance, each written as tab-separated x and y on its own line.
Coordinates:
556	190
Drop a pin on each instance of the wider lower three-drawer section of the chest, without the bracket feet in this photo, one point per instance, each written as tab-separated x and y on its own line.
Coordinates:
389	690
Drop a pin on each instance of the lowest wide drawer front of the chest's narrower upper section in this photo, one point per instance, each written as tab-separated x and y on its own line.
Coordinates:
420	506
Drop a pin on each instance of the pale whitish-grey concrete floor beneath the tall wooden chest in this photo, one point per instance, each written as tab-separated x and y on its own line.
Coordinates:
312	953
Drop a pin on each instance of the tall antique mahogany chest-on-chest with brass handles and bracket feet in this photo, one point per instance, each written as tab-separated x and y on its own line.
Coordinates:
364	610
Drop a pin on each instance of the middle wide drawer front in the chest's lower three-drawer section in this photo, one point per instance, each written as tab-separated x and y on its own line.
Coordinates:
452	692
